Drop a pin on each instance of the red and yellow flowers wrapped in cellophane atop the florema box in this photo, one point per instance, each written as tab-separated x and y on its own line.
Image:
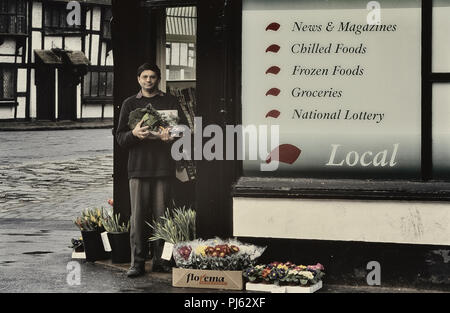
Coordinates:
216	254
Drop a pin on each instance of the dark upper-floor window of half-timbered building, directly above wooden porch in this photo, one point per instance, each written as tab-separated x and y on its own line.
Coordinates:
55	20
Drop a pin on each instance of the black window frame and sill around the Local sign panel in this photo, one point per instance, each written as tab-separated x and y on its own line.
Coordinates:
427	189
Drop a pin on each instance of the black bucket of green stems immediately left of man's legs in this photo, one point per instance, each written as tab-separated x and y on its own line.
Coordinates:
119	239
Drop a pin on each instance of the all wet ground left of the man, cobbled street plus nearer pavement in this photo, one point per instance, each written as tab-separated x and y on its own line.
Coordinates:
46	179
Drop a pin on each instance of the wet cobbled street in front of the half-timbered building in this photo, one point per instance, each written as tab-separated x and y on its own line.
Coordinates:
54	174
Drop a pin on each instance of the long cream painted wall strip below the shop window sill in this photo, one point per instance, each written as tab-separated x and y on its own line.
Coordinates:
343	220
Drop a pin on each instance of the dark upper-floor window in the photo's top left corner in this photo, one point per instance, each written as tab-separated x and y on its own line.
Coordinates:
13	18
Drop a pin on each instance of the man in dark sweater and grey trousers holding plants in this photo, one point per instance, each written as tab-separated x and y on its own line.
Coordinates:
150	167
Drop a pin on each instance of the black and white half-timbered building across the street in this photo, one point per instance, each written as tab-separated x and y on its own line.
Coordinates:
51	70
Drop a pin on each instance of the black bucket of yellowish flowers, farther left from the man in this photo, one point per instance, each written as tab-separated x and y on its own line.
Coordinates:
90	224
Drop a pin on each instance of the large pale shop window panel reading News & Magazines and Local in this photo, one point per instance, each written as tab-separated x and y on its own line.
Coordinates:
346	96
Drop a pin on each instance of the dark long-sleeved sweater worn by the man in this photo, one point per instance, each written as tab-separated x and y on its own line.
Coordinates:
148	157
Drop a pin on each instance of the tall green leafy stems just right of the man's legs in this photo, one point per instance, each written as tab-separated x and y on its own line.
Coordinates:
174	227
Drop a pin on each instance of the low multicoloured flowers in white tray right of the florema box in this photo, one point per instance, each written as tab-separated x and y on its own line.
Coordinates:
285	274
